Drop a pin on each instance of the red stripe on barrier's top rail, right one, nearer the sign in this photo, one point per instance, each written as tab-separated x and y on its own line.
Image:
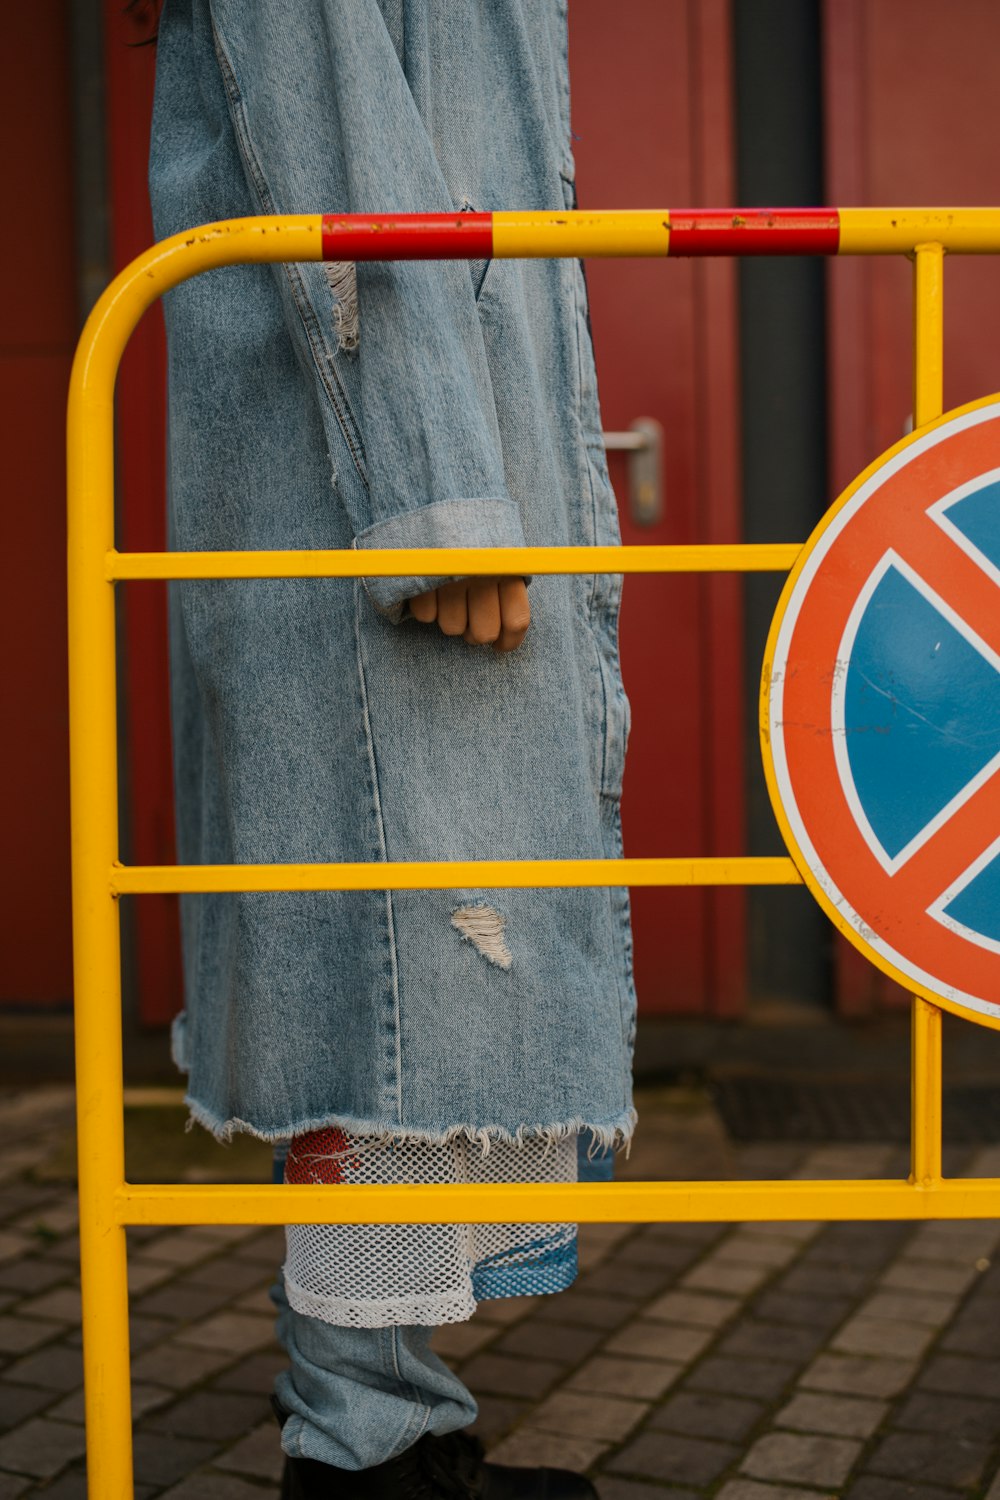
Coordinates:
755	232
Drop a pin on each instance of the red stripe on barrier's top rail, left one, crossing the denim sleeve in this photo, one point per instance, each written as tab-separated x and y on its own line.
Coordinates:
407	236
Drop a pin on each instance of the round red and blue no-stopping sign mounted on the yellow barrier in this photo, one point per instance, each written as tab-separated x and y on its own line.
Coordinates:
881	713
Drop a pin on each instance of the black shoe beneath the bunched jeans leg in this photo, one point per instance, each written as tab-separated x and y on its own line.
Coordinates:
449	1468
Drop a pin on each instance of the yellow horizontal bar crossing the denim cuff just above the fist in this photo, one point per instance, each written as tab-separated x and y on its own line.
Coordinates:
740	557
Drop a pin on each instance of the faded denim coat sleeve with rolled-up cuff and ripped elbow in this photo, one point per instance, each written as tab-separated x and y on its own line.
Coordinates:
326	122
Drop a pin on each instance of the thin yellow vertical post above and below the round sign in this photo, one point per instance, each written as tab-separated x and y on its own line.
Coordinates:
929	400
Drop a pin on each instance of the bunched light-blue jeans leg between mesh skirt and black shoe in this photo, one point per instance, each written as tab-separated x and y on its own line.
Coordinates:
361	1396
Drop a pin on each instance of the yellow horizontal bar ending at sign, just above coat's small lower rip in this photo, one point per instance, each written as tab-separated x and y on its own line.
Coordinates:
449	875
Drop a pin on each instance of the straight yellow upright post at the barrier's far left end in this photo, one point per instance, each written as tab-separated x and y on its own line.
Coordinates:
97	947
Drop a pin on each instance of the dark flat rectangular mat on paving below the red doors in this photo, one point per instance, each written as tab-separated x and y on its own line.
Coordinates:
779	1109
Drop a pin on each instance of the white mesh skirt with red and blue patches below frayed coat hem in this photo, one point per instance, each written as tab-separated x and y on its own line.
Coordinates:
374	1276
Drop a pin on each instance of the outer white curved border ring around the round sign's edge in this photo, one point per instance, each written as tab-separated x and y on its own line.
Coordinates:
776	709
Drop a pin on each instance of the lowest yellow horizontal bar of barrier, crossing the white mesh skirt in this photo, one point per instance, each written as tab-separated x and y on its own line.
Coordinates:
590	1204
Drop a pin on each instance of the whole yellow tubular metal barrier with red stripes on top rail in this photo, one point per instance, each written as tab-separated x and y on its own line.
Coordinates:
107	1202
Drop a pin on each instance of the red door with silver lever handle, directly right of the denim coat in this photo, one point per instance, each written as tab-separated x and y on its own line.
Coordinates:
653	124
